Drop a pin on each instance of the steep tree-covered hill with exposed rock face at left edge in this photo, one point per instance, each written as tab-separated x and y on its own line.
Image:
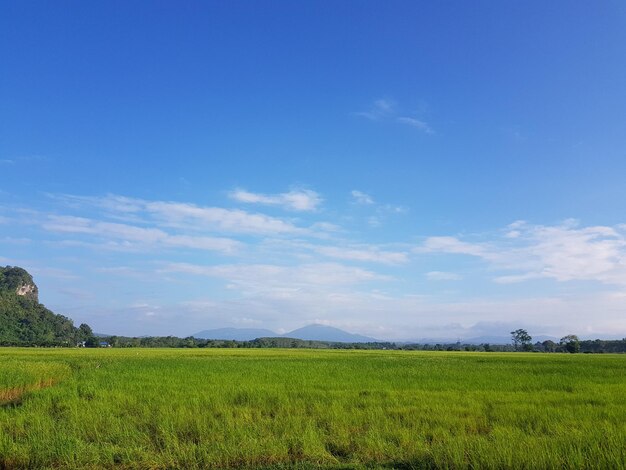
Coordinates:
26	322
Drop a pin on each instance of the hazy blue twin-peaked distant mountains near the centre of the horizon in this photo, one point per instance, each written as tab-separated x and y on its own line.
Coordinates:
314	332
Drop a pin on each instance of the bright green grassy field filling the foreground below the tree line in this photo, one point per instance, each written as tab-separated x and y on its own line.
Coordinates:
174	408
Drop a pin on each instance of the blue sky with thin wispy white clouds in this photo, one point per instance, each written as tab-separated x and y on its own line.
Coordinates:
398	169
